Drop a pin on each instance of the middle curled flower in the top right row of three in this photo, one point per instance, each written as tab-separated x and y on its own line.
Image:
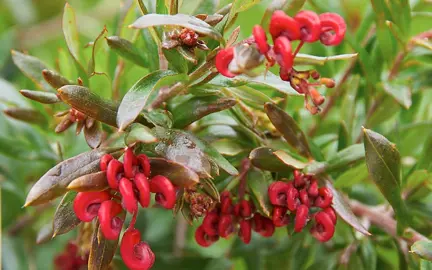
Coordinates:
310	26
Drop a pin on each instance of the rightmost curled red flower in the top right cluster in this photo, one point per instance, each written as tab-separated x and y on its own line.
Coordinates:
333	29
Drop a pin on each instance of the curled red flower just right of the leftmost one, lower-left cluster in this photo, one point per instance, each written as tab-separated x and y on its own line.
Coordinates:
110	224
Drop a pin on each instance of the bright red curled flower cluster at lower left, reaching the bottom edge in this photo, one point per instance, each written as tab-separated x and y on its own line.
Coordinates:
129	184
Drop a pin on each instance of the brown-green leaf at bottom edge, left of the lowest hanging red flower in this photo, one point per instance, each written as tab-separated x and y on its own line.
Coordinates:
102	251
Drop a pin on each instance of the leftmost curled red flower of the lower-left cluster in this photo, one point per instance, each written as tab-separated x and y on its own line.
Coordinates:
86	204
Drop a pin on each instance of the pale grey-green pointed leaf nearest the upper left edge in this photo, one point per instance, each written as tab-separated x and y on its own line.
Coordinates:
32	67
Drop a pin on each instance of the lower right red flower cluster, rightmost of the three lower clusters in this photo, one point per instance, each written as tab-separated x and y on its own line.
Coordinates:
295	199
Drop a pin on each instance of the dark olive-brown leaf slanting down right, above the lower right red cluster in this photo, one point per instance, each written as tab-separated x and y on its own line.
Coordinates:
286	125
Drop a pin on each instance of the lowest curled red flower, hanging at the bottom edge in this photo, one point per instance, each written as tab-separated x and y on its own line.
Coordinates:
136	254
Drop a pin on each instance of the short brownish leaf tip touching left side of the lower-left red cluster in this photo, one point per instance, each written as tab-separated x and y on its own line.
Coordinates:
89	182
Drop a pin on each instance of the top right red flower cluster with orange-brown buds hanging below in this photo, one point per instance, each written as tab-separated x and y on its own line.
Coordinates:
305	27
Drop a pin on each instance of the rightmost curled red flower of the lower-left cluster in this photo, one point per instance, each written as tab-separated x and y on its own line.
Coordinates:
165	191
